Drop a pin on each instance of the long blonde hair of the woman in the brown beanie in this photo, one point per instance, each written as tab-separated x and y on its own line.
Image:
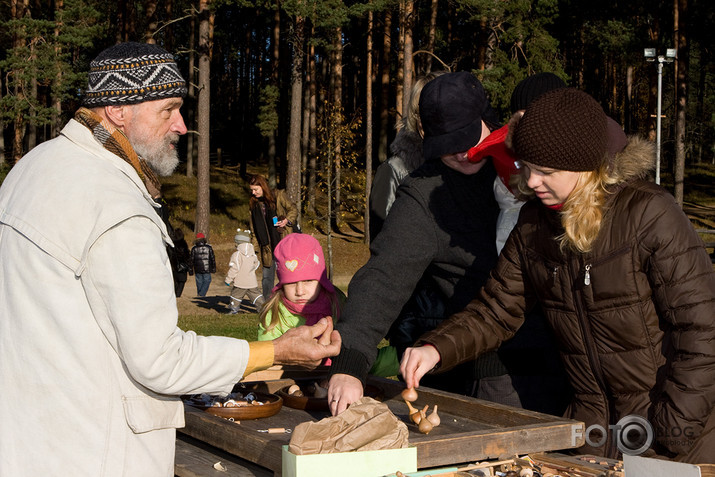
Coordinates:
583	211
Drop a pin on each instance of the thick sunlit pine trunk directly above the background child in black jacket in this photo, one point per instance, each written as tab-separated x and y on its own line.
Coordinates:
204	124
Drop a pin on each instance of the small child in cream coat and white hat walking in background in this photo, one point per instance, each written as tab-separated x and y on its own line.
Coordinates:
242	274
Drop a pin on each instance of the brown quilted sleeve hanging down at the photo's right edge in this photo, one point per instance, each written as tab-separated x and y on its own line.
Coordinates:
683	285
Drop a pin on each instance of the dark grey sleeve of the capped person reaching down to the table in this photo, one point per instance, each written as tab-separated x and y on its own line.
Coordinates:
398	257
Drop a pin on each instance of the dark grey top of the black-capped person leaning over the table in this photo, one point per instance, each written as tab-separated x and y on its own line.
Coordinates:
440	232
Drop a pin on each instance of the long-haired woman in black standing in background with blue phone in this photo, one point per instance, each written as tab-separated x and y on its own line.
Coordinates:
273	216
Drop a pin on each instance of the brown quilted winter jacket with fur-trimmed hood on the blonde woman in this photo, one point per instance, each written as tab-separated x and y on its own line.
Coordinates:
637	337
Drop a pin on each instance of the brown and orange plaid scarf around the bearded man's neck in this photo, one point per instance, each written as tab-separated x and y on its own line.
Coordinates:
114	141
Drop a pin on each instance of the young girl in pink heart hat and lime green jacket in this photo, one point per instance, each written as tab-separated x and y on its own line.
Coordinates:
303	294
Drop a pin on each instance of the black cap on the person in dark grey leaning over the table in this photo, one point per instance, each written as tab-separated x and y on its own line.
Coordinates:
451	110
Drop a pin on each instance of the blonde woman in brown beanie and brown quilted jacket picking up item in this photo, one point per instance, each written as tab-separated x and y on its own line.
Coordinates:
622	277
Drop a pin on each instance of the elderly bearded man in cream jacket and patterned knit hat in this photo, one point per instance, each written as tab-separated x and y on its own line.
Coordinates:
91	359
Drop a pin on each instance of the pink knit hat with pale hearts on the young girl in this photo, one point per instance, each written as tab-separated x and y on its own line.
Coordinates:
300	257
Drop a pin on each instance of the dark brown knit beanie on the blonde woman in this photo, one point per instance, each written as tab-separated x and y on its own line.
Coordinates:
563	129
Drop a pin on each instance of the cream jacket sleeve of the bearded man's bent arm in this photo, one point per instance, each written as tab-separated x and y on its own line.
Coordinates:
130	290
